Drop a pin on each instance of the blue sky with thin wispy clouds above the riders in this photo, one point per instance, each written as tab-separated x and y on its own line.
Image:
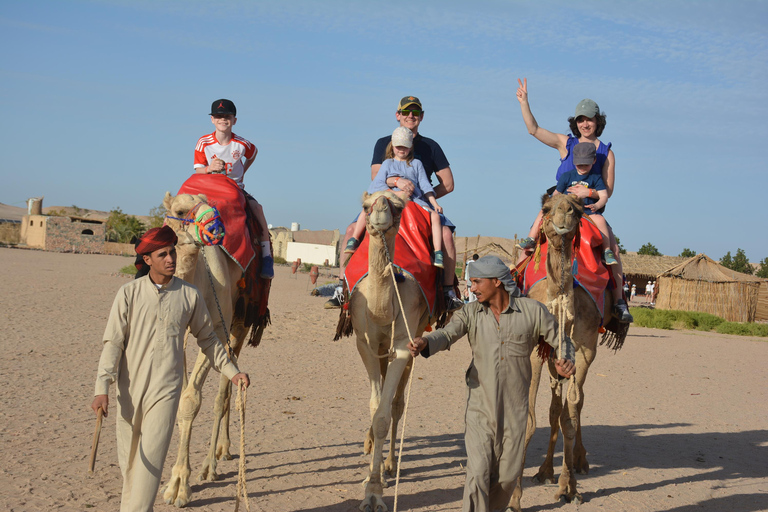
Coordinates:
104	101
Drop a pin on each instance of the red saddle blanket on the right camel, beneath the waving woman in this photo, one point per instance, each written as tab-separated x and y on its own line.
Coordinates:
588	269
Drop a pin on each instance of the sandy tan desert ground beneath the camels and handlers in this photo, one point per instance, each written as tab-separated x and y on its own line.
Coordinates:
675	421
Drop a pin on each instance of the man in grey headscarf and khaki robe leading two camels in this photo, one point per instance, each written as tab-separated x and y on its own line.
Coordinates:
503	329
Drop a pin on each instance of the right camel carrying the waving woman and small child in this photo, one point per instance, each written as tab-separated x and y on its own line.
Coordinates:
562	215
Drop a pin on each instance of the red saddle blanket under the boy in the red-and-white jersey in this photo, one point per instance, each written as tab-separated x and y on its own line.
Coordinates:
224	195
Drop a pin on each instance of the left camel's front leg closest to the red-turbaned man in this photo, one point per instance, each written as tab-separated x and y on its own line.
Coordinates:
178	492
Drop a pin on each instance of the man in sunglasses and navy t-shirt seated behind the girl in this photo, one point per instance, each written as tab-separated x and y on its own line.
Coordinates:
409	115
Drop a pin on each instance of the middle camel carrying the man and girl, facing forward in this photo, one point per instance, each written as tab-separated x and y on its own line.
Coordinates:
375	312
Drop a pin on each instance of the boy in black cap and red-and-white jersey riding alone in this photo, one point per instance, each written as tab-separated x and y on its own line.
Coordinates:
224	152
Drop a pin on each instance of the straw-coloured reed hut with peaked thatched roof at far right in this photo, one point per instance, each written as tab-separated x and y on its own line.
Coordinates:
701	284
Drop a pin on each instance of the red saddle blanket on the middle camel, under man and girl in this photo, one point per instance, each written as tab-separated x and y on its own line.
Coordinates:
413	254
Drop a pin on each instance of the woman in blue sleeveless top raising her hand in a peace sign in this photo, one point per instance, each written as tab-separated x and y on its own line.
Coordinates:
587	124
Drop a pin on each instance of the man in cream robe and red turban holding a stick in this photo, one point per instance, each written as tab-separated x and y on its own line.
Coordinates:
144	353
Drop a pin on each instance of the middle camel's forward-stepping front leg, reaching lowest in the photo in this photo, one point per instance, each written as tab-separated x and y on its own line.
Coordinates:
373	501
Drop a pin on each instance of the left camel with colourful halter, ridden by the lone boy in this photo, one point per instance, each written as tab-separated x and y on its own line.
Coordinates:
221	284
